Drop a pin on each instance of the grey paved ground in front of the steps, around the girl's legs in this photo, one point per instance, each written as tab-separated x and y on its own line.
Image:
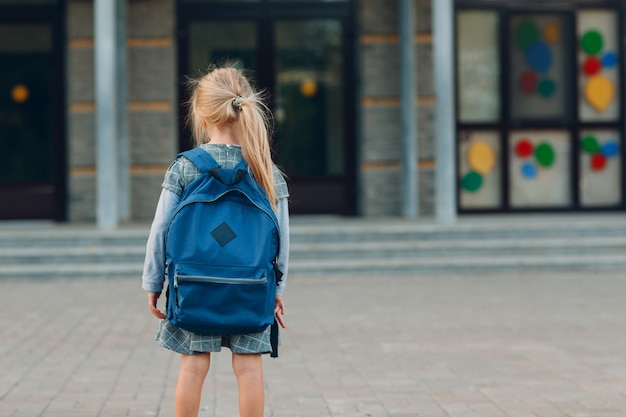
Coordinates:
534	345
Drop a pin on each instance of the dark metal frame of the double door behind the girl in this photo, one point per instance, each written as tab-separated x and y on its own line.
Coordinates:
264	13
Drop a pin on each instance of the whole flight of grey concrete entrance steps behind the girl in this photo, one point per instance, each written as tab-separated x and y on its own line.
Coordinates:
329	245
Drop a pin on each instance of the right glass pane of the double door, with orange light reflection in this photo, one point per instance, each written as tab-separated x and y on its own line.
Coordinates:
309	109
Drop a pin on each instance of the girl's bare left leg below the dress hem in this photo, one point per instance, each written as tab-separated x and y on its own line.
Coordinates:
193	370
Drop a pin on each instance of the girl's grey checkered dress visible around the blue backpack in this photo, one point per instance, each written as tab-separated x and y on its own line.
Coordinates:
178	176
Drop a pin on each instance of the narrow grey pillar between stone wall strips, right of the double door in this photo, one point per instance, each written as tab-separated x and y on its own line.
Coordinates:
408	113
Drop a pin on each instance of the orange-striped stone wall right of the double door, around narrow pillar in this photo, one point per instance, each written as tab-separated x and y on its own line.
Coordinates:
380	137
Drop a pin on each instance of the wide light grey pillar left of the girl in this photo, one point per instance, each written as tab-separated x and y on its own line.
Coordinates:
112	191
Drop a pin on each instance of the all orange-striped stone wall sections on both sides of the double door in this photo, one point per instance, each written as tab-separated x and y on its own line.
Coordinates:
153	97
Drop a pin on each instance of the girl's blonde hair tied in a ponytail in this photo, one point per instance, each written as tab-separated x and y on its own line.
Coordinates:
223	96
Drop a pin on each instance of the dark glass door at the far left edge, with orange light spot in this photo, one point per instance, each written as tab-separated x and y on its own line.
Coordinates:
31	141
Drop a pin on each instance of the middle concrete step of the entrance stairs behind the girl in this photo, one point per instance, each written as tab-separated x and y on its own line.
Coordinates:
127	252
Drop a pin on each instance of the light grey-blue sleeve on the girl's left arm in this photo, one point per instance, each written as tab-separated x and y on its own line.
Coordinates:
153	275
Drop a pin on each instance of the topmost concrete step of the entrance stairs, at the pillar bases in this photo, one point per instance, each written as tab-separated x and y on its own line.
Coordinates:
333	229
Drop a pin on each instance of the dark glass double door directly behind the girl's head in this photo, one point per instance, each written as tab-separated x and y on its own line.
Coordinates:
302	62
